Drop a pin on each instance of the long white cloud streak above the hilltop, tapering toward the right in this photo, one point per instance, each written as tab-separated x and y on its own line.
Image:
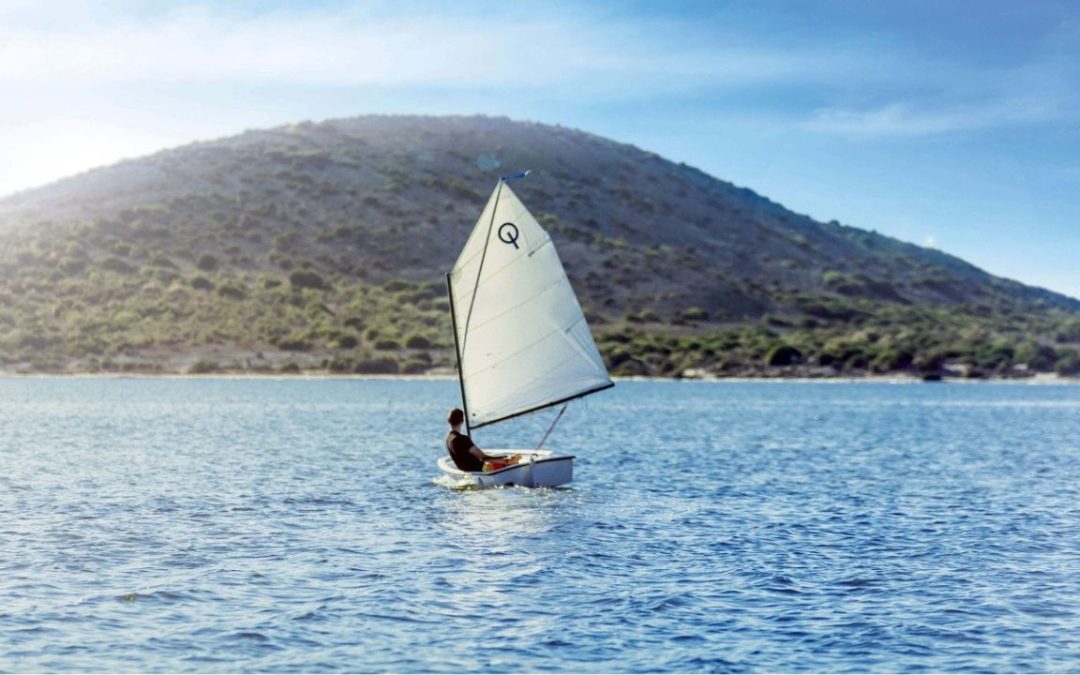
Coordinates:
350	48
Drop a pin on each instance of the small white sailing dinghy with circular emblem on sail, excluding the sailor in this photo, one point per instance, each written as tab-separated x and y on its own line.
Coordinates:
522	341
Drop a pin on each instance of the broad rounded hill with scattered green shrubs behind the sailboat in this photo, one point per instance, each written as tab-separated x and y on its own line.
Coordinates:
323	246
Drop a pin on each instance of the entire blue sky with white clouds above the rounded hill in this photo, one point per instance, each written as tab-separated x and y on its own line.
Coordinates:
953	125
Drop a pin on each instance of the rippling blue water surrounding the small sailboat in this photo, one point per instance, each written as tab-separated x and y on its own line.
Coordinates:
294	525
